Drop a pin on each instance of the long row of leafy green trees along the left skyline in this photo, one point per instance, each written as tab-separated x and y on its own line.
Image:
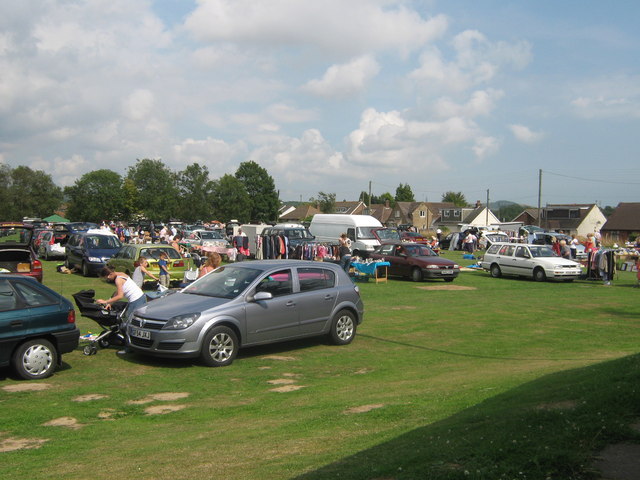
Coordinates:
148	190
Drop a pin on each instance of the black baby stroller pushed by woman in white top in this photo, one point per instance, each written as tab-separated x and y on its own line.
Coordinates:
109	320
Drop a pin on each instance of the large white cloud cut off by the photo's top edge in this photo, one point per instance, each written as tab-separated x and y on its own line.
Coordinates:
345	28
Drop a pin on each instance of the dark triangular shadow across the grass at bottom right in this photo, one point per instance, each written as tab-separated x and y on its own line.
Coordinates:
548	428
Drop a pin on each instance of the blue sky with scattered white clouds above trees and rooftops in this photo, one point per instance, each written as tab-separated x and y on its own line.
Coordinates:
329	96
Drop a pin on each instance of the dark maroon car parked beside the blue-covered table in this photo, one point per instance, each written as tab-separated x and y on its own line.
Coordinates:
416	261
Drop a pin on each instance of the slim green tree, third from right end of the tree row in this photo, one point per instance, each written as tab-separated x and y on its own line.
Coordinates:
196	190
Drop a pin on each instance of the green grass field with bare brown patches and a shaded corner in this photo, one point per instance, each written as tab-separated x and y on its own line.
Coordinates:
506	379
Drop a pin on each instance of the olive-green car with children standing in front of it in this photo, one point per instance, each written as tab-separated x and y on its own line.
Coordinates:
124	260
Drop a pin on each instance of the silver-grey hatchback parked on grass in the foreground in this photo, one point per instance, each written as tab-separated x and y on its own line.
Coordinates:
249	303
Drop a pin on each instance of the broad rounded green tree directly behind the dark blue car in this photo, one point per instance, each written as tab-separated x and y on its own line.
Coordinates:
95	196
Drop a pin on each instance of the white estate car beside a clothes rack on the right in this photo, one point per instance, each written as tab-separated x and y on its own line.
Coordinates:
535	261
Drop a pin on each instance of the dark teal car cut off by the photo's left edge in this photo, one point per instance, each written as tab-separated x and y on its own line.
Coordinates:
37	326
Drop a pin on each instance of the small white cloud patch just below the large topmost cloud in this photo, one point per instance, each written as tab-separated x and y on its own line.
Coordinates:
346	79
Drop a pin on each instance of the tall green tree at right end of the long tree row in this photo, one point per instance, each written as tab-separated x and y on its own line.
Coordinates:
261	189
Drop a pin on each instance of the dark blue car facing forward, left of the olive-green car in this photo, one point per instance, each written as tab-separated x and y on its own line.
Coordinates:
89	251
